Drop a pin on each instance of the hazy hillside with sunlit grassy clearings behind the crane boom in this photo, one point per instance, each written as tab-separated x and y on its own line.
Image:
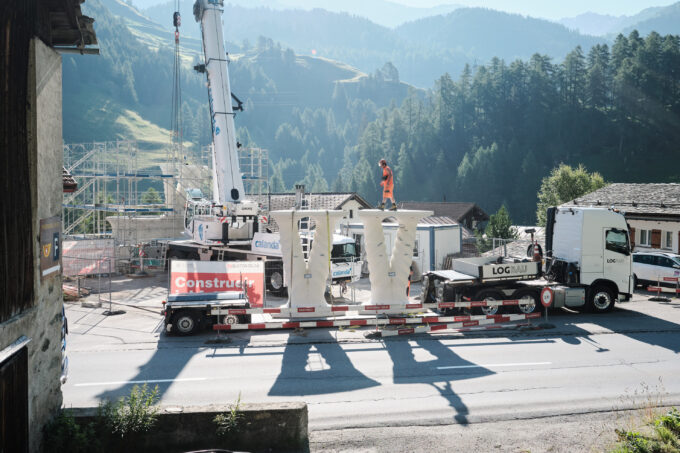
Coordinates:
294	105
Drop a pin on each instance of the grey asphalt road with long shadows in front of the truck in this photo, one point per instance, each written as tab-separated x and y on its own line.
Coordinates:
586	363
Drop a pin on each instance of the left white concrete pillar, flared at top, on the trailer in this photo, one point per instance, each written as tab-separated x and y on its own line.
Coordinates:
306	280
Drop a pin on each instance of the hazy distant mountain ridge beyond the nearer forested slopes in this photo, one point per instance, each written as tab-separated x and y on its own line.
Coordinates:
421	50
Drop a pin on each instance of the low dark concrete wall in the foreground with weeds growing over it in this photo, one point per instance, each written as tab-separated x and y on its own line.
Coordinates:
263	427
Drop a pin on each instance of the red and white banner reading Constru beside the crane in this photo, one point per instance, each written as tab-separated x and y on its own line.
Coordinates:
218	276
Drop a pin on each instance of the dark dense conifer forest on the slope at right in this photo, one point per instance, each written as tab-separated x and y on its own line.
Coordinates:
491	135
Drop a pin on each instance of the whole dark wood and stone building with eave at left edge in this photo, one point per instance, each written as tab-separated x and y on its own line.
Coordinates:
32	33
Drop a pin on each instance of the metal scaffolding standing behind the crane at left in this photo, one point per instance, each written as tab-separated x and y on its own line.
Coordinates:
113	176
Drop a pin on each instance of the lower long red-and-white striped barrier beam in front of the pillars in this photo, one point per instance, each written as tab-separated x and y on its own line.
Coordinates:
451	322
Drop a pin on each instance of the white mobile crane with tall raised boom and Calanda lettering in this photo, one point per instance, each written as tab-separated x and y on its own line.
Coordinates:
225	228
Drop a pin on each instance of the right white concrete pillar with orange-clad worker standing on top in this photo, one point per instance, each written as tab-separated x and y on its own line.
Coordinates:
389	276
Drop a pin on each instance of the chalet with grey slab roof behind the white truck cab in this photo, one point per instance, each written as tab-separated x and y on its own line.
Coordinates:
651	210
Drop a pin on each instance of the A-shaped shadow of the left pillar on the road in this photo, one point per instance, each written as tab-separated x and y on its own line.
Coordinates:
317	368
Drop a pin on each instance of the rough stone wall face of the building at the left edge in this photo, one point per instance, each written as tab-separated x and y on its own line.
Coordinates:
42	323
